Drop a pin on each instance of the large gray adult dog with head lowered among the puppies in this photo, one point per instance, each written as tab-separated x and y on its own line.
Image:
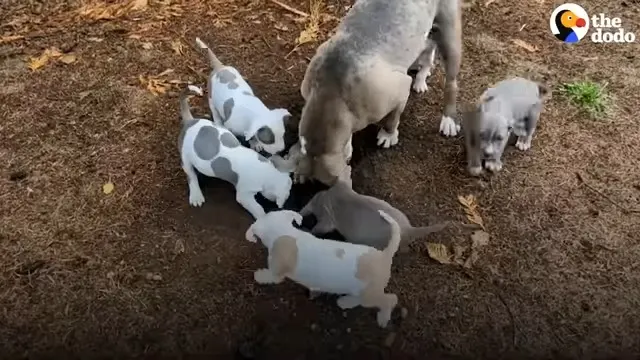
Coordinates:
359	77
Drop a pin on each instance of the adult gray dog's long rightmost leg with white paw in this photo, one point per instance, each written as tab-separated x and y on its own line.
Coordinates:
449	40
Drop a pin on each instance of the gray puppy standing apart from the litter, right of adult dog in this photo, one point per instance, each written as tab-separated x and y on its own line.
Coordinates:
511	105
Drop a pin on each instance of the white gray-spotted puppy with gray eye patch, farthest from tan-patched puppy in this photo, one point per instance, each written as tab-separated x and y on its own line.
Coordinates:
234	106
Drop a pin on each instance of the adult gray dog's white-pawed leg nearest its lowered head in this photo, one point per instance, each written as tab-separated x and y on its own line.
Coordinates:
388	134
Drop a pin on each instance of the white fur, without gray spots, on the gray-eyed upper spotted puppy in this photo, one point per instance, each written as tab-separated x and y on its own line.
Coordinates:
249	113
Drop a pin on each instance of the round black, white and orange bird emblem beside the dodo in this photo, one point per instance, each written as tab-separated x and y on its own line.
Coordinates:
569	23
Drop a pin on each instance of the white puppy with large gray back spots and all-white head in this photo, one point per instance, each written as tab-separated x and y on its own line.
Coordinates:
214	151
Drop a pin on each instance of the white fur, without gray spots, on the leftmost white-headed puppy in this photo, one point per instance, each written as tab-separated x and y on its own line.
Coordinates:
254	176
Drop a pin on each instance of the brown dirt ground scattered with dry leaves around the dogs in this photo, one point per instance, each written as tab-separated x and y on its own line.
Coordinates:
139	273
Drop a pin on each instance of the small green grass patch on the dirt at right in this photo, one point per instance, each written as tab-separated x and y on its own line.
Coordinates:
587	95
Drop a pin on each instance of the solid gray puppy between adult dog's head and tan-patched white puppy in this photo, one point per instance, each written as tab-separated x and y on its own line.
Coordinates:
357	218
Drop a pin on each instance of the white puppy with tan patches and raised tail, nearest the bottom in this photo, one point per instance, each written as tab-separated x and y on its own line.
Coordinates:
358	272
